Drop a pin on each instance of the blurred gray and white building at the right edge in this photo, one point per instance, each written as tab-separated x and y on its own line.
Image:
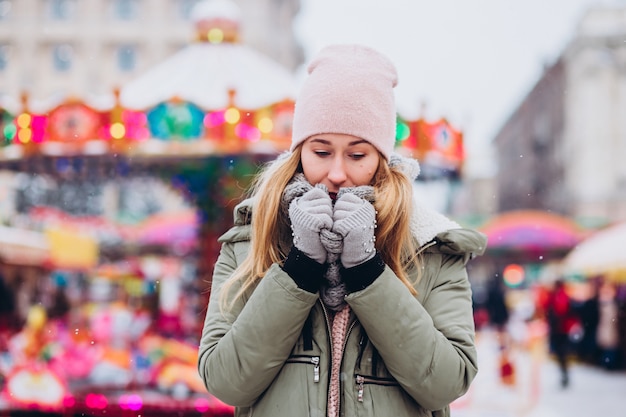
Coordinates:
563	148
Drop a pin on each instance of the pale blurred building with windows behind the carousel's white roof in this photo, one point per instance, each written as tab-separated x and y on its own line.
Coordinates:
78	47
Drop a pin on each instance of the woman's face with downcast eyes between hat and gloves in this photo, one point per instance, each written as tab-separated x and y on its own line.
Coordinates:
338	161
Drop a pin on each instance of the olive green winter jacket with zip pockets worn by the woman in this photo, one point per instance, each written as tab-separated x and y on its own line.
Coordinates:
404	355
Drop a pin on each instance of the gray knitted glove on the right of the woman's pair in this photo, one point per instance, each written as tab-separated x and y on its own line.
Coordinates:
355	220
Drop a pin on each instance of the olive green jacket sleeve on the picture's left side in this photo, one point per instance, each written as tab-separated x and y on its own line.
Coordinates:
243	349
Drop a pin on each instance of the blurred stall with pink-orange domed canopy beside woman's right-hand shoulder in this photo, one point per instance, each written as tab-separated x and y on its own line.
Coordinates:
522	259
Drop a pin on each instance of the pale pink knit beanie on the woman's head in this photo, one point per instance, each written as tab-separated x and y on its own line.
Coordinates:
349	90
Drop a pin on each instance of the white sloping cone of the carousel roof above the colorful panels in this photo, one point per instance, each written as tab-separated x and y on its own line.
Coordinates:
205	73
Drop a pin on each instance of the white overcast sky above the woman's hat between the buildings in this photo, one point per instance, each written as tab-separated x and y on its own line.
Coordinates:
471	61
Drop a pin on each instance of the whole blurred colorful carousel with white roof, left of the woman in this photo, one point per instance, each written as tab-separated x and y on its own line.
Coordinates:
111	208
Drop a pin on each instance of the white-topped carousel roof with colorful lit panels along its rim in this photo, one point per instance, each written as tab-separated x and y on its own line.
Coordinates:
214	96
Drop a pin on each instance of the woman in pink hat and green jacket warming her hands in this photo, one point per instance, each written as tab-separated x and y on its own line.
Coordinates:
334	295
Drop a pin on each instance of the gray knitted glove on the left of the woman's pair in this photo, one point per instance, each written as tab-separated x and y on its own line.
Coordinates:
310	214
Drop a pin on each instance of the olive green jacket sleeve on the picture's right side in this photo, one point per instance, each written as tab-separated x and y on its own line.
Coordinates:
428	347
